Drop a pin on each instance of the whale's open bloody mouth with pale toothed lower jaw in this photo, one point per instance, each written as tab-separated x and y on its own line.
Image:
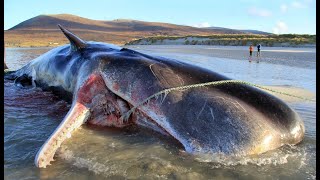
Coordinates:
96	104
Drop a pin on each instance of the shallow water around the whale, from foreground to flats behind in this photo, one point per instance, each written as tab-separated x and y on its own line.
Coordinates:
31	115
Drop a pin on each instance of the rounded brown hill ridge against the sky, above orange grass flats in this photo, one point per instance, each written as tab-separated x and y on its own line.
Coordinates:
48	22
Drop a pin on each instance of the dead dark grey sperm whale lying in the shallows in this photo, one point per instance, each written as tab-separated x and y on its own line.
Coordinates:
105	81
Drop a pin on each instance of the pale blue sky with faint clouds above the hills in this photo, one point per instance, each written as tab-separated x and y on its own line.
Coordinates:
275	16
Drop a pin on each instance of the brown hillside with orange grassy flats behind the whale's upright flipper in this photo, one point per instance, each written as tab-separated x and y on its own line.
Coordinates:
43	31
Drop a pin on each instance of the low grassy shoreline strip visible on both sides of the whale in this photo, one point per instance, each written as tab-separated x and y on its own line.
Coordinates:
285	40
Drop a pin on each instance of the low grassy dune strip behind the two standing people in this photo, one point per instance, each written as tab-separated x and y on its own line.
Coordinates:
285	40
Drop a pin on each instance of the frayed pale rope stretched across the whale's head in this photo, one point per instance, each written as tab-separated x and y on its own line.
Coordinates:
214	83
